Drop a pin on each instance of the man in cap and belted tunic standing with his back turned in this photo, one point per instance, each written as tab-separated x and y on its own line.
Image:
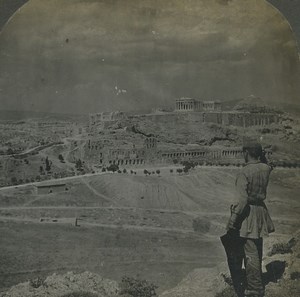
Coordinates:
249	223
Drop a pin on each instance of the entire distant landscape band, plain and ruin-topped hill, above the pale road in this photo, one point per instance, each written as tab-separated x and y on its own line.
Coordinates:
202	132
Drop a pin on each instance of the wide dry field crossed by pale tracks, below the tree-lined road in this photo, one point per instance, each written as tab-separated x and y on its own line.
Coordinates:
130	225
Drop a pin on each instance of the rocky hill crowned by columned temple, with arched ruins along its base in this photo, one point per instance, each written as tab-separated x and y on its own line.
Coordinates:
193	130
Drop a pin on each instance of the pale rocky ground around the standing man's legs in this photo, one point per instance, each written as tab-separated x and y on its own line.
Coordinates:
281	271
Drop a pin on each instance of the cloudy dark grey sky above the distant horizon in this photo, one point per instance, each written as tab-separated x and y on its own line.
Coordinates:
85	56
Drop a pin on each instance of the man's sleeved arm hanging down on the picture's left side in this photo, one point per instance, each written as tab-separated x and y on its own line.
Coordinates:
238	208
